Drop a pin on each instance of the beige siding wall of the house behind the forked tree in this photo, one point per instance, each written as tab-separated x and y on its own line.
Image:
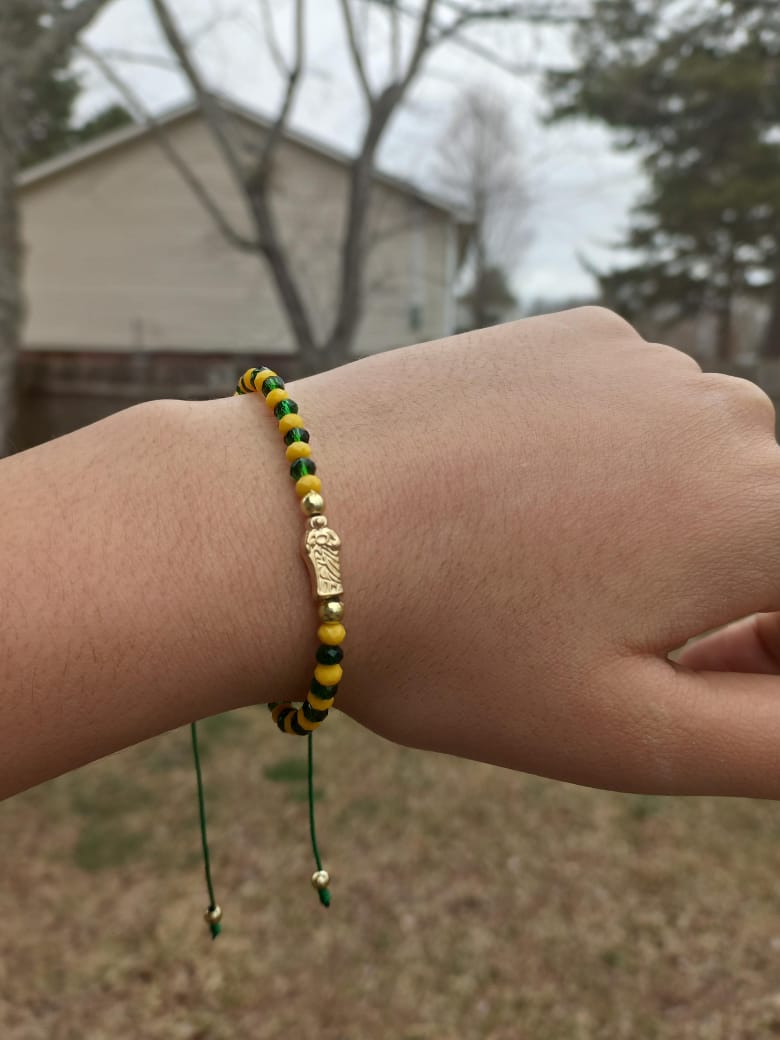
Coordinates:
121	256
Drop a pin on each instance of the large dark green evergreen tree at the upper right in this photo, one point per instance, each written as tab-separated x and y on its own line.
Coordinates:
696	88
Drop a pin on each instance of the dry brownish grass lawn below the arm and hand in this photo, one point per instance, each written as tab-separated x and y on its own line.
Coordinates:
469	901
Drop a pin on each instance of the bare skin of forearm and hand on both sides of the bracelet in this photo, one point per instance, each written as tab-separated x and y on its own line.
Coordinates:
533	516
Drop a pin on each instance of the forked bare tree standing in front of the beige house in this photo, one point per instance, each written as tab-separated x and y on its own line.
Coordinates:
413	34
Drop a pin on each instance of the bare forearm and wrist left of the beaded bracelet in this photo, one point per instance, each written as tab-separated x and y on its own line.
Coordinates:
150	575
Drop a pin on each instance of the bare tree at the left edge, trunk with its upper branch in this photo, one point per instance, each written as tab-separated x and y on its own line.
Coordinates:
24	58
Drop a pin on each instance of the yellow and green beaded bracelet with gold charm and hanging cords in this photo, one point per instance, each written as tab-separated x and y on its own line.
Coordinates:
321	550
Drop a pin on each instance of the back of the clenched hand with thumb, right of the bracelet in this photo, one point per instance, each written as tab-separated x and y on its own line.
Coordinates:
534	516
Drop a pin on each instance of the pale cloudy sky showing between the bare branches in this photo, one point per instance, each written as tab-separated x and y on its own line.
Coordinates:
581	190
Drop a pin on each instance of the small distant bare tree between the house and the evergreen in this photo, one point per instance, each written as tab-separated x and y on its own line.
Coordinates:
479	165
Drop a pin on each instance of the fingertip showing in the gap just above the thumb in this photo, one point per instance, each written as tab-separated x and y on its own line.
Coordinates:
749	645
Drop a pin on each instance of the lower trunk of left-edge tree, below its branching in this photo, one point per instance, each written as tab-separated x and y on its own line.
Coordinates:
11	287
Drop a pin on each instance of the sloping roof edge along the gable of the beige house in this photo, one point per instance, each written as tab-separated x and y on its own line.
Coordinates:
116	139
